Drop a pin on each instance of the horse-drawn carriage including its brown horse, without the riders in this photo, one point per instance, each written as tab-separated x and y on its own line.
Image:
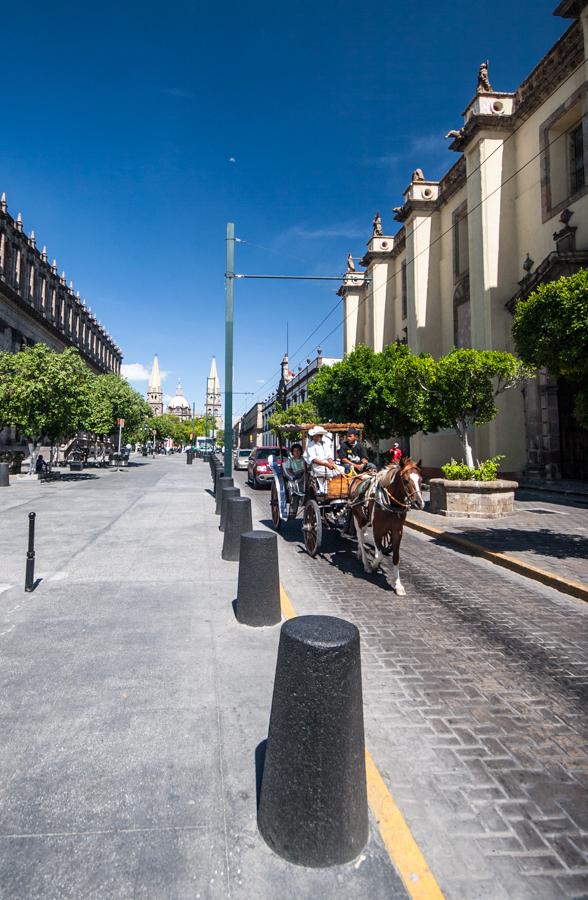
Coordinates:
377	500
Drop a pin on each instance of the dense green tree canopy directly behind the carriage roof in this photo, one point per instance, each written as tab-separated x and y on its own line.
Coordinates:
381	390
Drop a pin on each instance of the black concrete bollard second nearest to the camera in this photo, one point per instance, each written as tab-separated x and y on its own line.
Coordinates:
258	592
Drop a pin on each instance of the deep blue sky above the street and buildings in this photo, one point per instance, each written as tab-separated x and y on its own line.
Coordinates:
120	120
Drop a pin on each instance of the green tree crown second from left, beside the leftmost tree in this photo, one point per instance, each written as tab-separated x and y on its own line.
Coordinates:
112	398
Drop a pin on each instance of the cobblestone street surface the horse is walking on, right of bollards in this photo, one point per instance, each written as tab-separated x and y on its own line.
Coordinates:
475	694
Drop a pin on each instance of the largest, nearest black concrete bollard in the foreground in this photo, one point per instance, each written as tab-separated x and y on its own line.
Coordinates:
313	799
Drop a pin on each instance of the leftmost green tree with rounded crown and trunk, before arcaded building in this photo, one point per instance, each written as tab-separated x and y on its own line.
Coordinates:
44	394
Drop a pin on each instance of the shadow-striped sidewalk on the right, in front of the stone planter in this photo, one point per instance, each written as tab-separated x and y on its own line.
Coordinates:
546	531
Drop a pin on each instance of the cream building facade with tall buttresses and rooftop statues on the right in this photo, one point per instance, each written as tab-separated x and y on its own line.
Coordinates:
511	213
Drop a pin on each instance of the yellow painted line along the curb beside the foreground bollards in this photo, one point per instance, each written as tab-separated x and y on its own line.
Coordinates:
402	848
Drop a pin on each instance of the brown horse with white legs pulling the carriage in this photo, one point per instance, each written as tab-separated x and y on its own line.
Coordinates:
382	501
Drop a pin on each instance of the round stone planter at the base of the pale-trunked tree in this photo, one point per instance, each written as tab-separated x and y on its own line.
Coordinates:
472	499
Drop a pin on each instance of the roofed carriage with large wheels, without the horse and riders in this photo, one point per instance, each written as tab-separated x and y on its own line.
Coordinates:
322	500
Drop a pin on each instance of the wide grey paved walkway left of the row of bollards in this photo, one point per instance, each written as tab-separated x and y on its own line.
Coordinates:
132	703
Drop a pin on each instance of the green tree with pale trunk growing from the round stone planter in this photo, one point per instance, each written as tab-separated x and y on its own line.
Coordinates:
461	389
